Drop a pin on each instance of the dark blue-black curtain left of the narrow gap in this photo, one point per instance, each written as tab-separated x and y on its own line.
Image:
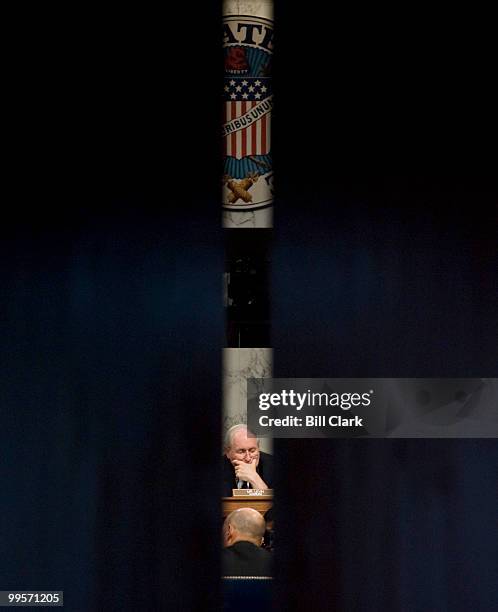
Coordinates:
112	325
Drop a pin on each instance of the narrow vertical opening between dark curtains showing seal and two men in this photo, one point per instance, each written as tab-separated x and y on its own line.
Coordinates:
247	200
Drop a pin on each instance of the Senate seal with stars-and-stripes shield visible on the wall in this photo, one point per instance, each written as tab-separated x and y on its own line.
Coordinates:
247	106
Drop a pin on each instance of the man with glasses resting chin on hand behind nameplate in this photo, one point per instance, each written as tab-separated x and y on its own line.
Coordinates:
244	465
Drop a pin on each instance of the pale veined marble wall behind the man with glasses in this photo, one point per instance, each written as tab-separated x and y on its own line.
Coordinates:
239	364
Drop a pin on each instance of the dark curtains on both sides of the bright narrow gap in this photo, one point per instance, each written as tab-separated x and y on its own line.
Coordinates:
112	256
